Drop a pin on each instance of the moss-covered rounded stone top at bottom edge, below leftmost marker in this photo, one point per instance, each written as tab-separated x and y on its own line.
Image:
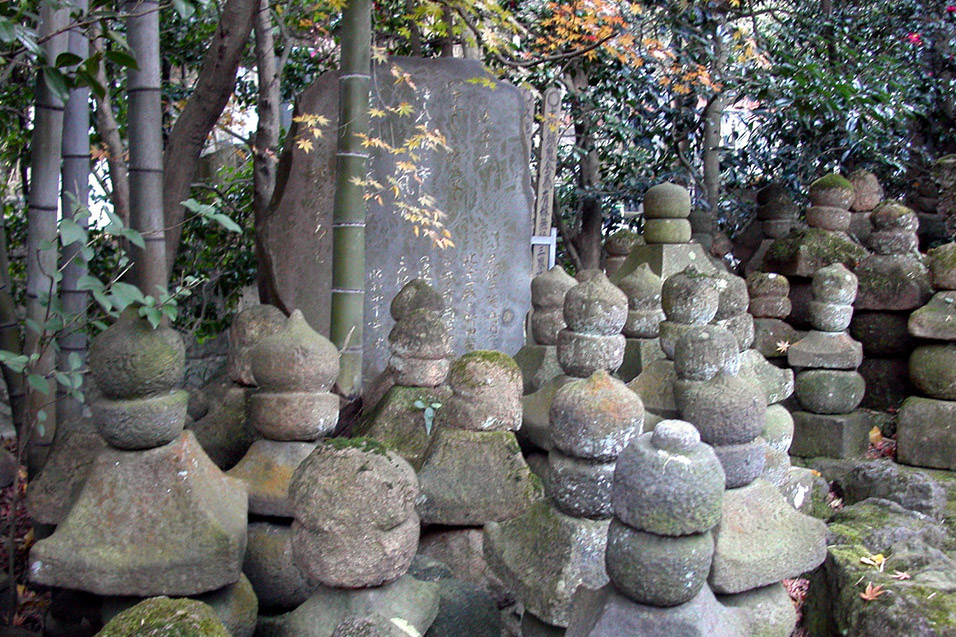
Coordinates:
165	617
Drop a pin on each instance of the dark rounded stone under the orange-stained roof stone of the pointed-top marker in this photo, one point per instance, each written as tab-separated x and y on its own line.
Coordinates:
268	563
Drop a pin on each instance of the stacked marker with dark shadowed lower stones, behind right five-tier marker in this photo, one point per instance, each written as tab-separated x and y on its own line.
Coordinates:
893	283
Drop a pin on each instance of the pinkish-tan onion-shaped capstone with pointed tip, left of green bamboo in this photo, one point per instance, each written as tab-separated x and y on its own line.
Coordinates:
296	358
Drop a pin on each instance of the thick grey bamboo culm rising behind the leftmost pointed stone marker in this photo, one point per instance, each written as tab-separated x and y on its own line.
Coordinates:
146	145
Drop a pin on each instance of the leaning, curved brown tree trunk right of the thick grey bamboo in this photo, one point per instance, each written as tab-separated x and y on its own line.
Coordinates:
213	90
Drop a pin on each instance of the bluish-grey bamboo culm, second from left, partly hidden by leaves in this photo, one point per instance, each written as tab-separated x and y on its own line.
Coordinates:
76	182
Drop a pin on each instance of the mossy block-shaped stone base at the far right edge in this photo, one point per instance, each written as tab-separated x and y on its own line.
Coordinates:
926	433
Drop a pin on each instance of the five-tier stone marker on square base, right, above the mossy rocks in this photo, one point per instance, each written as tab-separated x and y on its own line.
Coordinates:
828	387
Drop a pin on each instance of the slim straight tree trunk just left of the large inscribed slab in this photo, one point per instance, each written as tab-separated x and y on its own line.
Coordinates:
267	139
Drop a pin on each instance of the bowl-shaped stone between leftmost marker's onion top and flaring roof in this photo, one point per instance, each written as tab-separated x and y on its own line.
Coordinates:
141	423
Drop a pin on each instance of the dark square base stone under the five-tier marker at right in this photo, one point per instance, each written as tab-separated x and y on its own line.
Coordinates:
832	436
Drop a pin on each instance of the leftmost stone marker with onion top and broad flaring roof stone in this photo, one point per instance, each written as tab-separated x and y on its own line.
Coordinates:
152	493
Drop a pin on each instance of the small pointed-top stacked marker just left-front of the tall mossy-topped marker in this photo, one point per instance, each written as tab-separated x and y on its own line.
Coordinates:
644	314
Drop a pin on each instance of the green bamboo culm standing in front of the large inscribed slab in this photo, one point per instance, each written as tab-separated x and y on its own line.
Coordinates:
348	215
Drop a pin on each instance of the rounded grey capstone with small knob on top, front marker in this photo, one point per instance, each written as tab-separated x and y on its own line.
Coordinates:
668	482
